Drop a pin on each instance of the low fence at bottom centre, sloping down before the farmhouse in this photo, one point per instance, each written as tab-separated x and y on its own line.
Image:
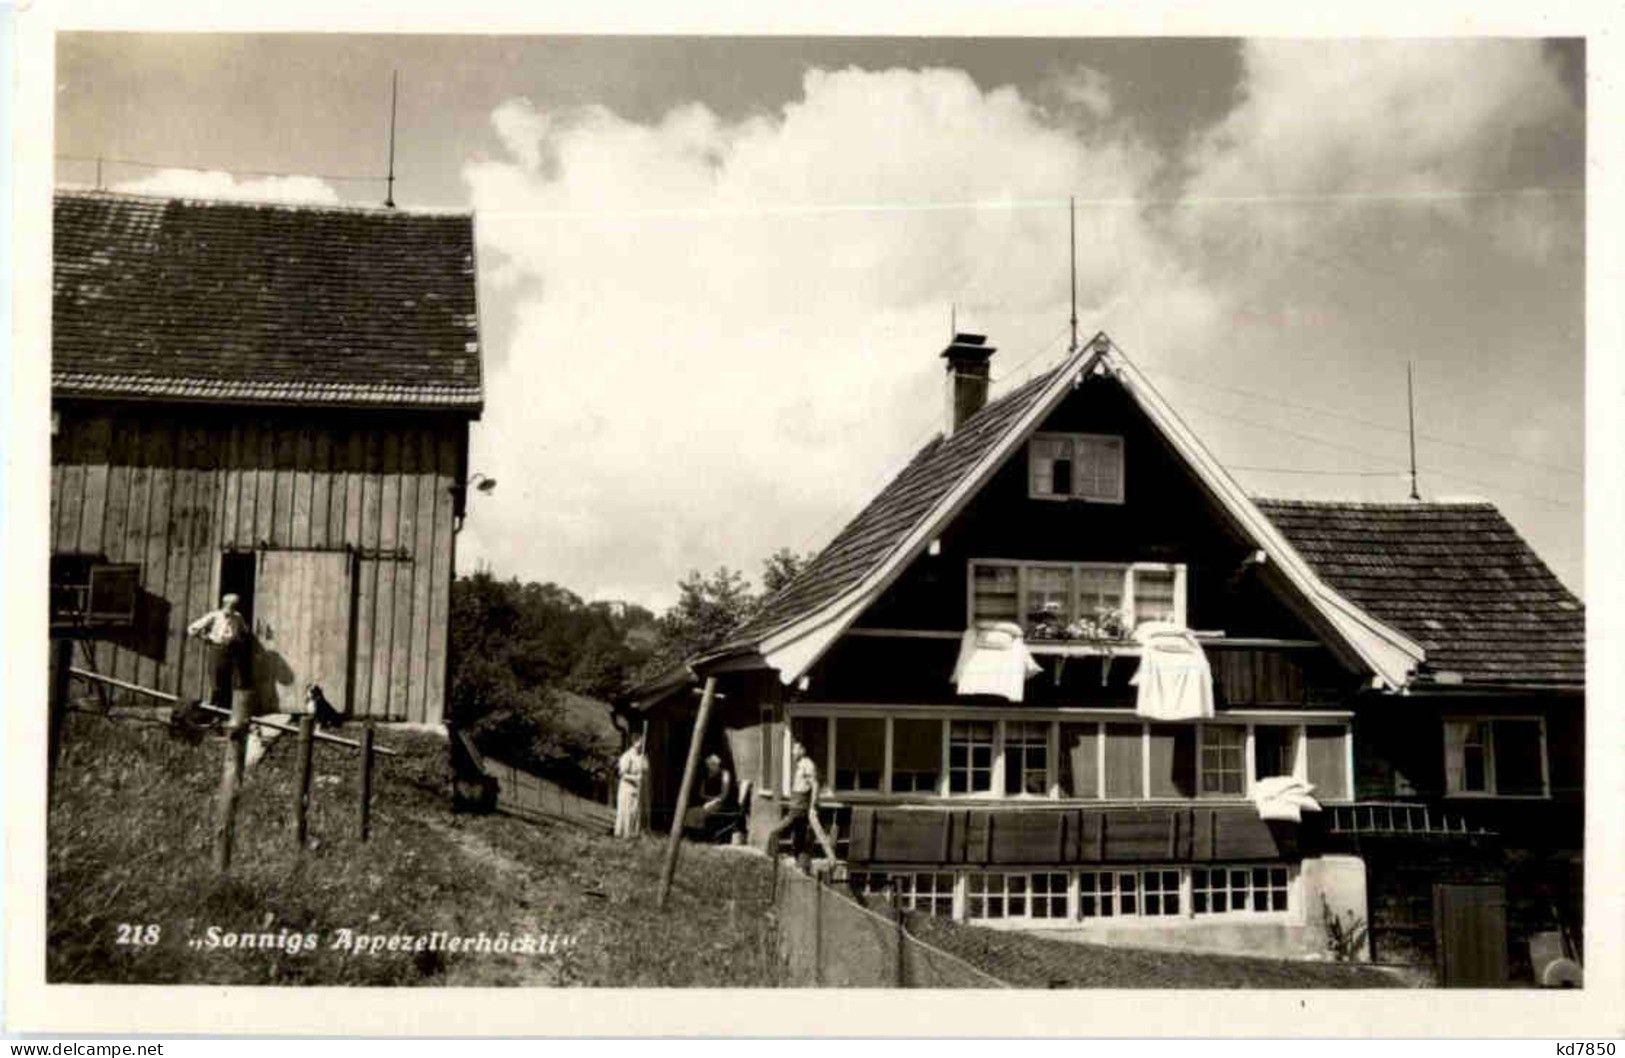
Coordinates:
828	940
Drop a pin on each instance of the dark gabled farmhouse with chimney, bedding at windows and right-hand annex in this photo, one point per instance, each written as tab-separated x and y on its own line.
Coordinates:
1065	674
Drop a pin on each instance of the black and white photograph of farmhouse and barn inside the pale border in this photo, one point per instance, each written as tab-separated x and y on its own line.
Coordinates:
817	513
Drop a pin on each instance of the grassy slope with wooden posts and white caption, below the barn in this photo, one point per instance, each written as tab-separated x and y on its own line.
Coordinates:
131	844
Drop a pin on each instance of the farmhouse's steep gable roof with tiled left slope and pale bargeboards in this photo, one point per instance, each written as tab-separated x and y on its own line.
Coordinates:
797	625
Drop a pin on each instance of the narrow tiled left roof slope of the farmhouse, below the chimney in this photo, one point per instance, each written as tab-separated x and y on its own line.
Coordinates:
886	522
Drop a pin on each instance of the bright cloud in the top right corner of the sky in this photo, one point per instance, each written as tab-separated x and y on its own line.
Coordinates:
1327	131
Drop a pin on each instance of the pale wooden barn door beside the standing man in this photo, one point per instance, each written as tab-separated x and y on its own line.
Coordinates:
303	605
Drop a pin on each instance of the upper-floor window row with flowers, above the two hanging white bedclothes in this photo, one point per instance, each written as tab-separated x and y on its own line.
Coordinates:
1099	594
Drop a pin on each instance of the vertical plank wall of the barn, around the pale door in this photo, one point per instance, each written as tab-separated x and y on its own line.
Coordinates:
173	493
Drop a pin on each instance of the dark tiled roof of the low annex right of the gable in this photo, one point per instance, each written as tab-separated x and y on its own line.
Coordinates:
1457	578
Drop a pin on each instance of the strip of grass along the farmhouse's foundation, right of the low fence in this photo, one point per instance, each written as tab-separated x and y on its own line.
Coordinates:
1041	963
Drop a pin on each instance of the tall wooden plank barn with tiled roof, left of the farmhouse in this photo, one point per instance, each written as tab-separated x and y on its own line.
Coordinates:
271	401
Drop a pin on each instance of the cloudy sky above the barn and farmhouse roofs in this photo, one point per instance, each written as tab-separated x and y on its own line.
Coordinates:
716	274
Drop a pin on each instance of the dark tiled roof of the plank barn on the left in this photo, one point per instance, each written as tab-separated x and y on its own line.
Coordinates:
178	300
